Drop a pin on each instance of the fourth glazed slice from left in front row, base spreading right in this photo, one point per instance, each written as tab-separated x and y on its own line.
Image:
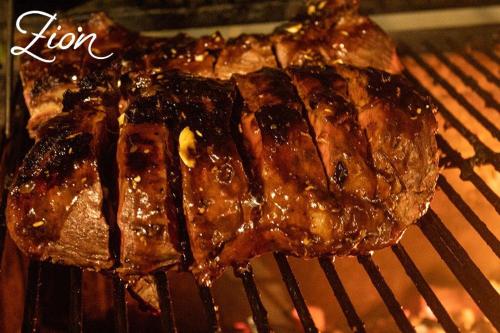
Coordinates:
302	214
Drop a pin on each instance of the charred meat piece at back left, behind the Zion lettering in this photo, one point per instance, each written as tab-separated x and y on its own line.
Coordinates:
44	84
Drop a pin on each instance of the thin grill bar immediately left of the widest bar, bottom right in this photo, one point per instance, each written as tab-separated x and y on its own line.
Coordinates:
424	289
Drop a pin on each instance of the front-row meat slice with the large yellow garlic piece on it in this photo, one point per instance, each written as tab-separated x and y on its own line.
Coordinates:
218	206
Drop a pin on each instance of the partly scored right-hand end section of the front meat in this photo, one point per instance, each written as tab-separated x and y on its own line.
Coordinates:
351	121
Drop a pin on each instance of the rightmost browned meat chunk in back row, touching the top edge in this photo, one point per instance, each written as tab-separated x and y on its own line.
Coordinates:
334	32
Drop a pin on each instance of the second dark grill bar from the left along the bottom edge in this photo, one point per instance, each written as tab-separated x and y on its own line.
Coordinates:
75	301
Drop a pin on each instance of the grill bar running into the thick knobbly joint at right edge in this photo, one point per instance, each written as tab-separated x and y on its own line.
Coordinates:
483	152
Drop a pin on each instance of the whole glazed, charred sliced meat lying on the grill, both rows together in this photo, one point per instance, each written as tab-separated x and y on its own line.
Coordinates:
300	141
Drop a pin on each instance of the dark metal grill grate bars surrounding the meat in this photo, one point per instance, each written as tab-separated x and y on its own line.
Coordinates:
443	241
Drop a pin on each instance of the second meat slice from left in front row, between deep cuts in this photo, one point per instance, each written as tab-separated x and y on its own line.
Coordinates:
147	215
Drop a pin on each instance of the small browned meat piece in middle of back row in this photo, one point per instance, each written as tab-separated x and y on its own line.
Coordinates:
244	54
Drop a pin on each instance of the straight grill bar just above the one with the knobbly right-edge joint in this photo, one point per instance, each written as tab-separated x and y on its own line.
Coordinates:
454	93
